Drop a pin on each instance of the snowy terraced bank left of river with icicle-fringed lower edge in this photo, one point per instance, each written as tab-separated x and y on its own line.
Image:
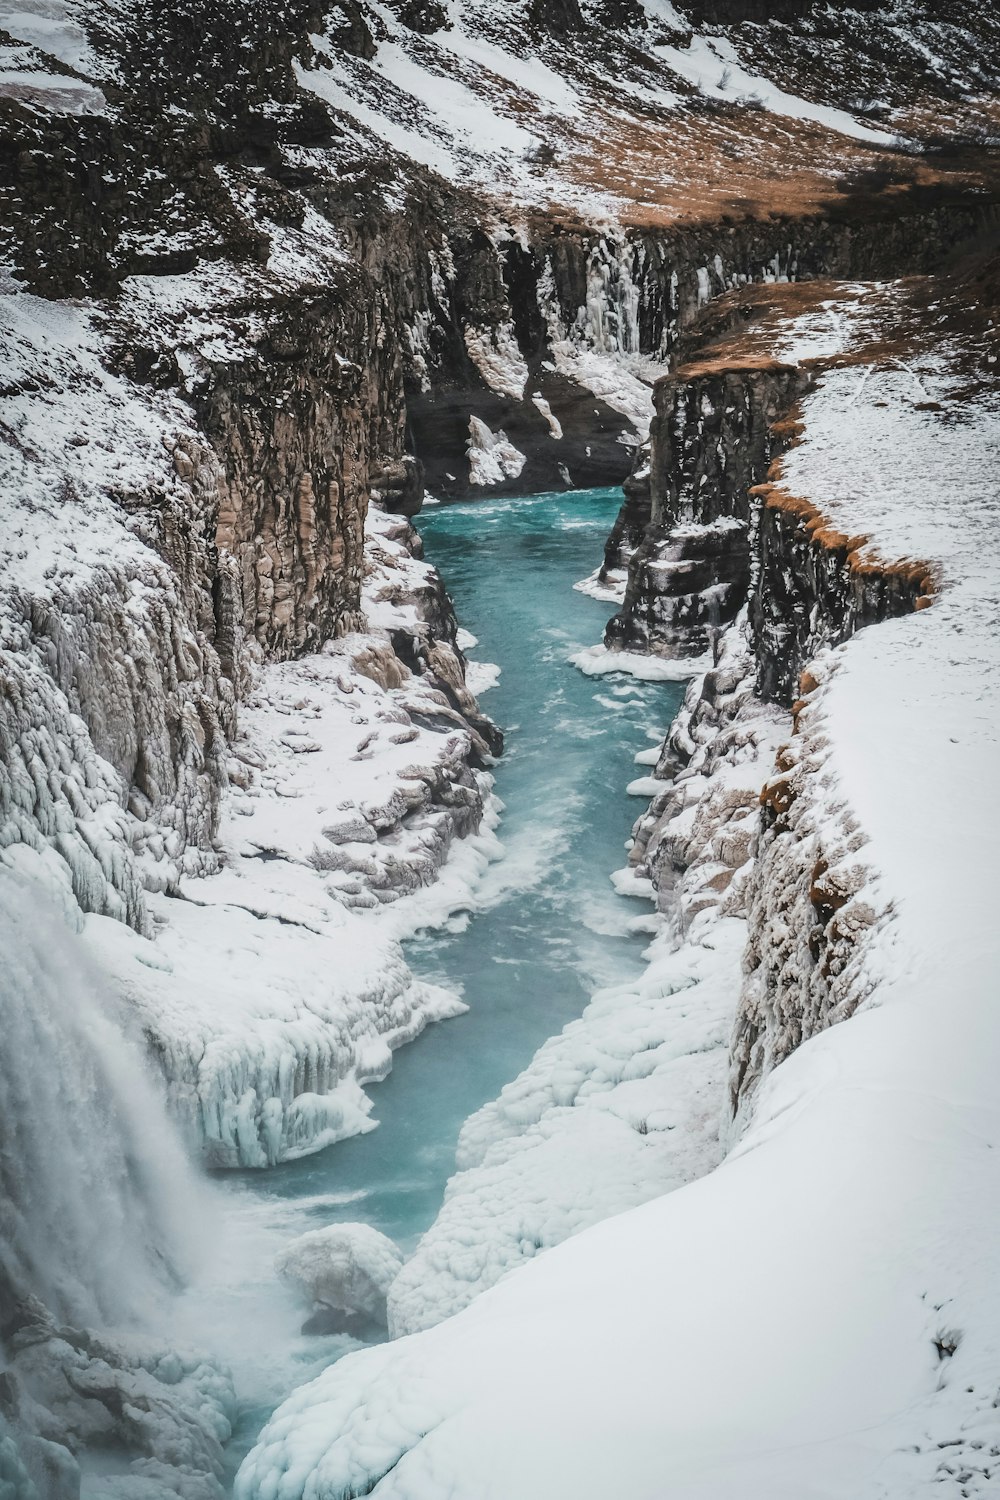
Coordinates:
278	988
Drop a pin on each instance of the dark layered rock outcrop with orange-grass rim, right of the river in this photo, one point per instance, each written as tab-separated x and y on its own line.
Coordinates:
723	532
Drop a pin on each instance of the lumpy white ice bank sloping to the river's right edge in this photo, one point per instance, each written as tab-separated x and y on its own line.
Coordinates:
624	1105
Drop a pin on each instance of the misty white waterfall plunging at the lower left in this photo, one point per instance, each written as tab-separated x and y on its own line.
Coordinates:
98	1204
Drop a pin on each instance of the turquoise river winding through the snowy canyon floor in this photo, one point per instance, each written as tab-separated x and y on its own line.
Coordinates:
545	928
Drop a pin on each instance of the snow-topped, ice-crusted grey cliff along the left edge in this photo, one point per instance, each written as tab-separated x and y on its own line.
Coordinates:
116	710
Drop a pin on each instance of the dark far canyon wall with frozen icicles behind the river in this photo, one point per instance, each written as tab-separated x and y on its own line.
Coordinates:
516	331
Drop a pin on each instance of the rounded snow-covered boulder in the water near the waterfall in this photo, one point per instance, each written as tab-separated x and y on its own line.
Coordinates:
347	1268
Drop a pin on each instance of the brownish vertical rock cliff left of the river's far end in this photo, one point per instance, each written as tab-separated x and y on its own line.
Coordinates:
302	431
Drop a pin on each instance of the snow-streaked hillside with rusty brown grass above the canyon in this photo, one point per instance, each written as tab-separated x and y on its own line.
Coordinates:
647	112
